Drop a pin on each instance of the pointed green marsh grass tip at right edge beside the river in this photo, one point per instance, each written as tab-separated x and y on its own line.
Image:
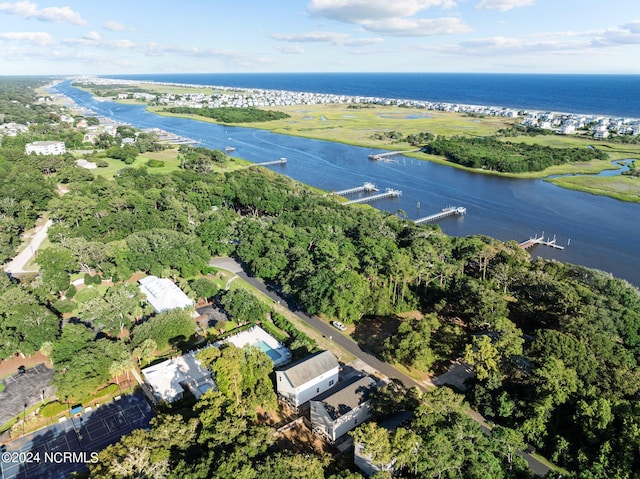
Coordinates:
624	188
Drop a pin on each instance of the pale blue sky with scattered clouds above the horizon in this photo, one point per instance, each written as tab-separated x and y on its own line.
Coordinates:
215	36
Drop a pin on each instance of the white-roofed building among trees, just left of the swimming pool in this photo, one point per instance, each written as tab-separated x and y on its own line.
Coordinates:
169	378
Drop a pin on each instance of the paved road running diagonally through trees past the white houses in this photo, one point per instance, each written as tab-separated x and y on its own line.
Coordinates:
538	467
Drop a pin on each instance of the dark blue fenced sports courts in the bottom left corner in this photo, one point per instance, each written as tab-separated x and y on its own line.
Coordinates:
58	450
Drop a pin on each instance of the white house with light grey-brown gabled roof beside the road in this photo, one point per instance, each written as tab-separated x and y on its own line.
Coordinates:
308	378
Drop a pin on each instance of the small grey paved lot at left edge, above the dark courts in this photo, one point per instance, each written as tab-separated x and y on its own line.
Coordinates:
25	388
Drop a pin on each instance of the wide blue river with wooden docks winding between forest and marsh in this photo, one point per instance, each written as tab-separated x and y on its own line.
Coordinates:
600	232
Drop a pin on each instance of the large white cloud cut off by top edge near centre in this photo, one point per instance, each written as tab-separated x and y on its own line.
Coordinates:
356	11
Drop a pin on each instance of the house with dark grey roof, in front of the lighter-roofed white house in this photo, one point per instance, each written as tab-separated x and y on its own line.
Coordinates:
343	410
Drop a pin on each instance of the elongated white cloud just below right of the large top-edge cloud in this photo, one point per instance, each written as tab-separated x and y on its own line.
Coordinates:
417	27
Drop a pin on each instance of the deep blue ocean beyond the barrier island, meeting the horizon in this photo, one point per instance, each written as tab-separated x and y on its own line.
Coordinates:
611	95
